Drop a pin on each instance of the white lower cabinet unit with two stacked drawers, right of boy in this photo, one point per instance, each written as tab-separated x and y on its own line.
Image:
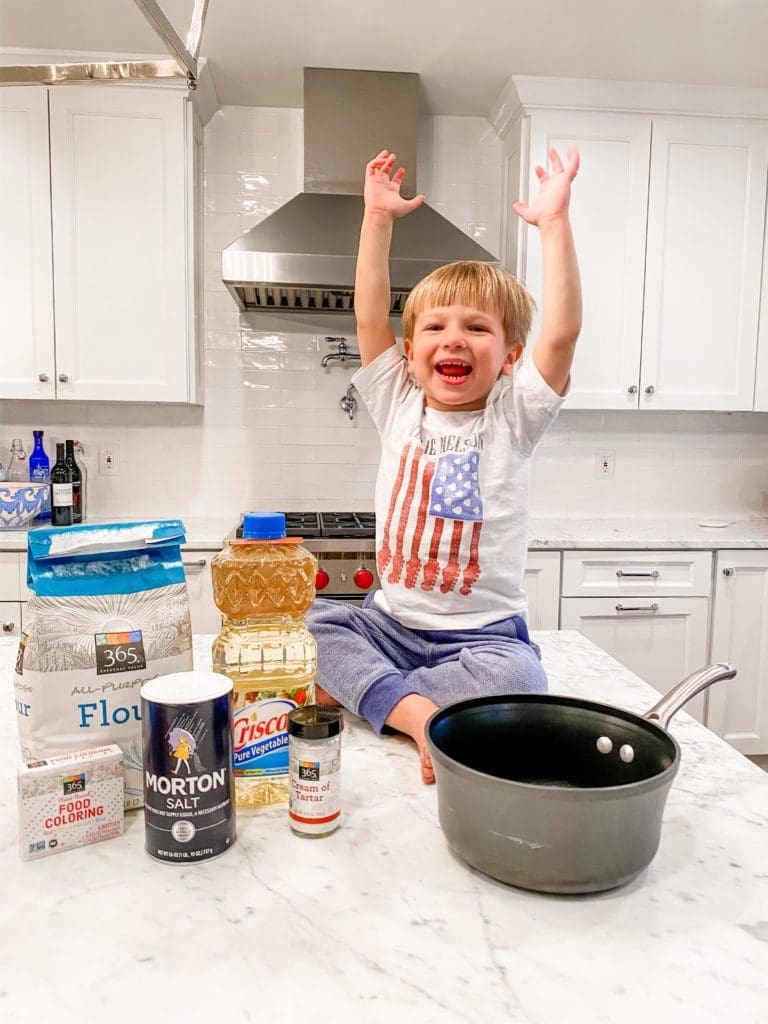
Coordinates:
648	609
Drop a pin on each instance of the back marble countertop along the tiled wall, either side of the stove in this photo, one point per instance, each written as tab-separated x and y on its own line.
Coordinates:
544	534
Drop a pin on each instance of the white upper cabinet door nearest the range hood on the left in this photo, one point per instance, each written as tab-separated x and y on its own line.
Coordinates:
119	186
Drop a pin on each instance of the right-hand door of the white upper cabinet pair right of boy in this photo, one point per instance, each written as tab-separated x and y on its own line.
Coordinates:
705	247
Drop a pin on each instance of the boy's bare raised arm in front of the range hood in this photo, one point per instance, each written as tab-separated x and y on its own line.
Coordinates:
383	205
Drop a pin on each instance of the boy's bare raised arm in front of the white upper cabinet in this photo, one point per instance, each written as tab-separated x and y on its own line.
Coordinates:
562	302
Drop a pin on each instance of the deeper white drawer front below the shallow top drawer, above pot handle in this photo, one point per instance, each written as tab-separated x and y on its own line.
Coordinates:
663	641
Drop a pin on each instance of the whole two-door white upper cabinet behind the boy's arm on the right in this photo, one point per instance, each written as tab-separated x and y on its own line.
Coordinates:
668	218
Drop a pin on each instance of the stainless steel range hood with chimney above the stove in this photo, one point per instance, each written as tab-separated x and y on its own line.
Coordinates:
302	259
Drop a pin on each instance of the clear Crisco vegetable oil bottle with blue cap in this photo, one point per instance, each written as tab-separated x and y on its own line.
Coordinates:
264	585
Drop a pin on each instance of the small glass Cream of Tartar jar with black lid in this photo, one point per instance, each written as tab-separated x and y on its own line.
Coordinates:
315	771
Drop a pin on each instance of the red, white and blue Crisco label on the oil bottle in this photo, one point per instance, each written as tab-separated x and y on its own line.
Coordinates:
261	732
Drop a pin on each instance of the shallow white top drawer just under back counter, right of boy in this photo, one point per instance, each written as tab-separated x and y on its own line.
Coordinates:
613	574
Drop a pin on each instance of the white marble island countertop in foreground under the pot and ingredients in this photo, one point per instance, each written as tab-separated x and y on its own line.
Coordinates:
381	922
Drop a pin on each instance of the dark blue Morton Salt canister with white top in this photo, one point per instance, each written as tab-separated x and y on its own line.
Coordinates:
188	756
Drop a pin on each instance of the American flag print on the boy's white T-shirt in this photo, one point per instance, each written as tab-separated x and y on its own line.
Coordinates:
436	519
